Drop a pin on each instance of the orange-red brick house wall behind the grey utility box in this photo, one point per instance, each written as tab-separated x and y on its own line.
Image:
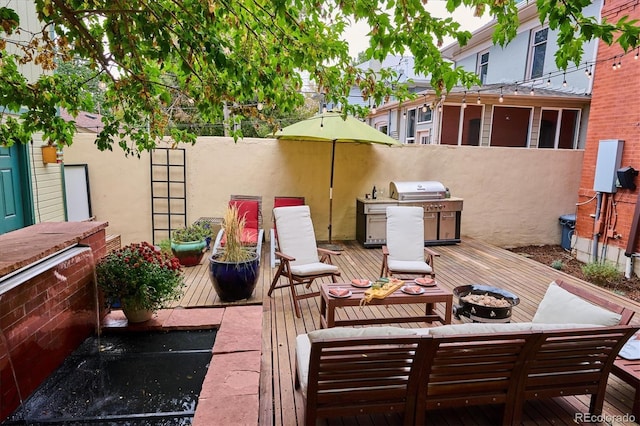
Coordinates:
615	114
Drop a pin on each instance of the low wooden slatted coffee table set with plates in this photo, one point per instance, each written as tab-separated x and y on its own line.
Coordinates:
430	297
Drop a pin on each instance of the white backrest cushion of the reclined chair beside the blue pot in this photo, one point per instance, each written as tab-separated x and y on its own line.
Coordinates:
296	236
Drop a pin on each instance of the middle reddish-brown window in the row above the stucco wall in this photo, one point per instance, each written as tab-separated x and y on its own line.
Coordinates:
510	126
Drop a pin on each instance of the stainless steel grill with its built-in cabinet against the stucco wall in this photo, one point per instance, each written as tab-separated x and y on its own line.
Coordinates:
441	215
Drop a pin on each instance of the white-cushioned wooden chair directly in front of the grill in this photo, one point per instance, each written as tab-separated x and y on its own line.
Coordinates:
405	253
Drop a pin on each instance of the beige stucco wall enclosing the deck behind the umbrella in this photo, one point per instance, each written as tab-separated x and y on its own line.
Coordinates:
511	196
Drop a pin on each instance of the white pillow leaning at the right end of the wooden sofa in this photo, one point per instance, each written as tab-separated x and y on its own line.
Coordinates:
559	306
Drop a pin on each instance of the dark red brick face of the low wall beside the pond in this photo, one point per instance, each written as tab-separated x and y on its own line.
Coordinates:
43	320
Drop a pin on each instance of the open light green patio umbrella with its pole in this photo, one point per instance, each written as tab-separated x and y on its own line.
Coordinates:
333	127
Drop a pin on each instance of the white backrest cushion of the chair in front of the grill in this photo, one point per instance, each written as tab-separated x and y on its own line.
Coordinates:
405	233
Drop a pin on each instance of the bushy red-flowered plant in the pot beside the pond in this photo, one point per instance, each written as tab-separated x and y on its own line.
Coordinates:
140	276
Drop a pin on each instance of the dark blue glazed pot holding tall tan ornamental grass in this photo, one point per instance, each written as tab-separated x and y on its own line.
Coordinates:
233	271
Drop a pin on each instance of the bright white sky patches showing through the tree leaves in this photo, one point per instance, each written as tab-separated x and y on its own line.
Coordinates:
356	34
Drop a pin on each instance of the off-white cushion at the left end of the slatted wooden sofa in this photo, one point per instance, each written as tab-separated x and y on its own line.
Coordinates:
303	343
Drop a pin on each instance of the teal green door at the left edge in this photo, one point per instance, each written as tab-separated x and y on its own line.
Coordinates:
12	215
